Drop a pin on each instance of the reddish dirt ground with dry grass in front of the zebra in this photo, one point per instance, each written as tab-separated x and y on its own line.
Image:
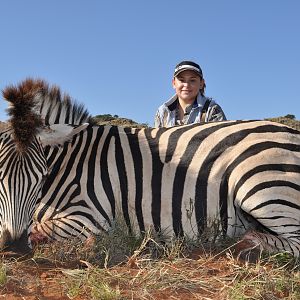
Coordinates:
199	276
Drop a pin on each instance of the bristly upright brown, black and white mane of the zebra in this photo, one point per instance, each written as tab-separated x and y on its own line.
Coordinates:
33	103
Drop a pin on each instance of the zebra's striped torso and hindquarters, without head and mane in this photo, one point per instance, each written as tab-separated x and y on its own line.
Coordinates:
245	174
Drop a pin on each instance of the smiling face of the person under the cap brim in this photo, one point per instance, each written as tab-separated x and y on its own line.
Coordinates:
187	85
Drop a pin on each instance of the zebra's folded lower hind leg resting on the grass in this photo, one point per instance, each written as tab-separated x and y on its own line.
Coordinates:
254	243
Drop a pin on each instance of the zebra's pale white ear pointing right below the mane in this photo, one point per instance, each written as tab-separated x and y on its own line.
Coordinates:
57	134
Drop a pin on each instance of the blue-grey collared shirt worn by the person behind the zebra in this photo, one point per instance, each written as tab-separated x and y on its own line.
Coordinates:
167	114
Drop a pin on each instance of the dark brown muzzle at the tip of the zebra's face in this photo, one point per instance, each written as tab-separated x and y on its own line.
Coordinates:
15	246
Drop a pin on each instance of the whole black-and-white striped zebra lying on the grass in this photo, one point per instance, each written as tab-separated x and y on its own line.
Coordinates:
244	173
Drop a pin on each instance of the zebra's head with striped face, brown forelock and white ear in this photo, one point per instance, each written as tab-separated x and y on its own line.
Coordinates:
23	164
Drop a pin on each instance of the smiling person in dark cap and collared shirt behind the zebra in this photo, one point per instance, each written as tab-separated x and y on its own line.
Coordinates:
189	104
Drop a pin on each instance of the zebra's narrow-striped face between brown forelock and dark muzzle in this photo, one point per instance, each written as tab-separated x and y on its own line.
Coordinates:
20	187
